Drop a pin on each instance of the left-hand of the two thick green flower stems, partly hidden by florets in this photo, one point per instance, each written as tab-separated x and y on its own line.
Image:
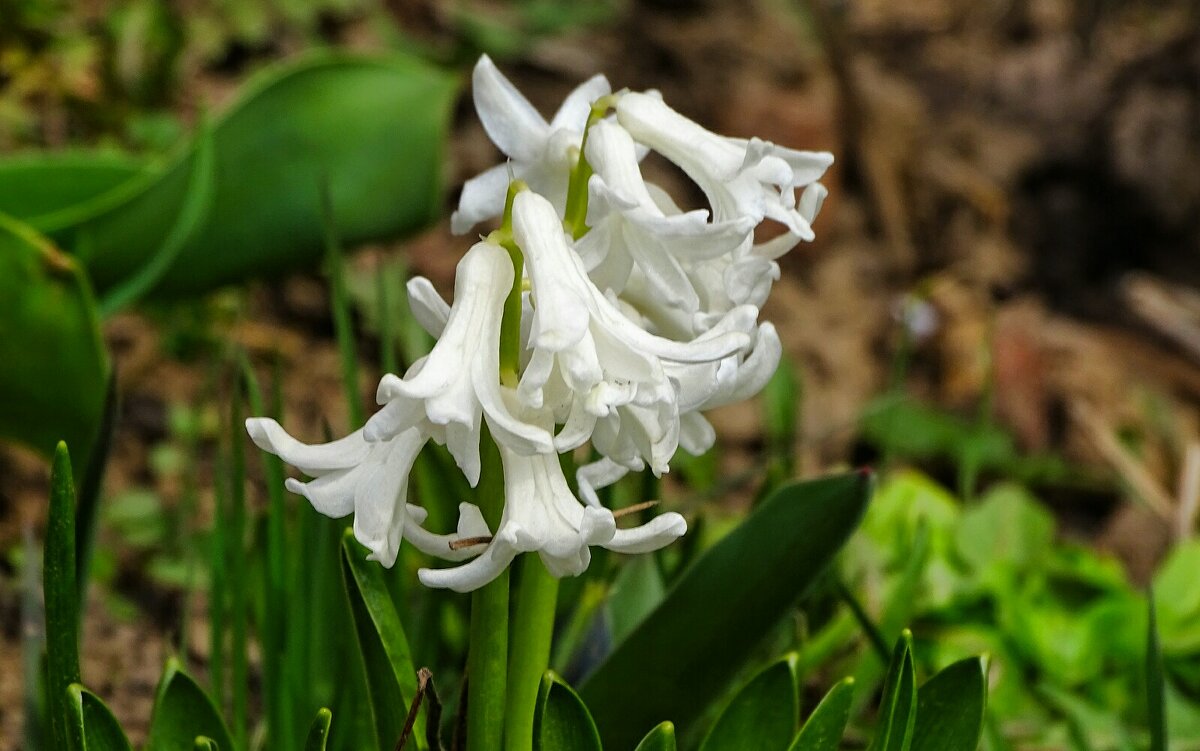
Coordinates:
488	659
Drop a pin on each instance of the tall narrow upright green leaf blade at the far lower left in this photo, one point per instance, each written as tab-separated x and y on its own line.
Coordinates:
62	599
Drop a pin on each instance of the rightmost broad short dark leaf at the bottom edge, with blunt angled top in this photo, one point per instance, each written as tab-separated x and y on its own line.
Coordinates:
951	708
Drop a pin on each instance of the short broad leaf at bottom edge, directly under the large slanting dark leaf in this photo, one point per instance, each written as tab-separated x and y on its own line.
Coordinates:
764	716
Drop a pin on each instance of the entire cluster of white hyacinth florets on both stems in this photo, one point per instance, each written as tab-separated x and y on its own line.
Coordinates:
599	313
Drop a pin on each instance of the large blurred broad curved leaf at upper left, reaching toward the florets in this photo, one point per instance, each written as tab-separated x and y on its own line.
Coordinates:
373	128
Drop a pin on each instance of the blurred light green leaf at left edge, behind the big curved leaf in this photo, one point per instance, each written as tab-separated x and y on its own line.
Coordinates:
35	187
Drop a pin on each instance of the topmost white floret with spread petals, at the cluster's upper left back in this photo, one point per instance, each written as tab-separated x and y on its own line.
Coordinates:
541	153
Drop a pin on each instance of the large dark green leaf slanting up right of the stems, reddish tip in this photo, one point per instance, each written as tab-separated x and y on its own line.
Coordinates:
755	573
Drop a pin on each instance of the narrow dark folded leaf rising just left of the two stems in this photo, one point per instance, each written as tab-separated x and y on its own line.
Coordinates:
392	678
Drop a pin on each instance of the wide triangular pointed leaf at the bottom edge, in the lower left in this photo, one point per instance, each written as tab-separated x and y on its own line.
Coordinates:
183	713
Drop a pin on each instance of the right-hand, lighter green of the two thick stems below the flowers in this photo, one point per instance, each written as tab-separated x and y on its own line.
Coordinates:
533	626
